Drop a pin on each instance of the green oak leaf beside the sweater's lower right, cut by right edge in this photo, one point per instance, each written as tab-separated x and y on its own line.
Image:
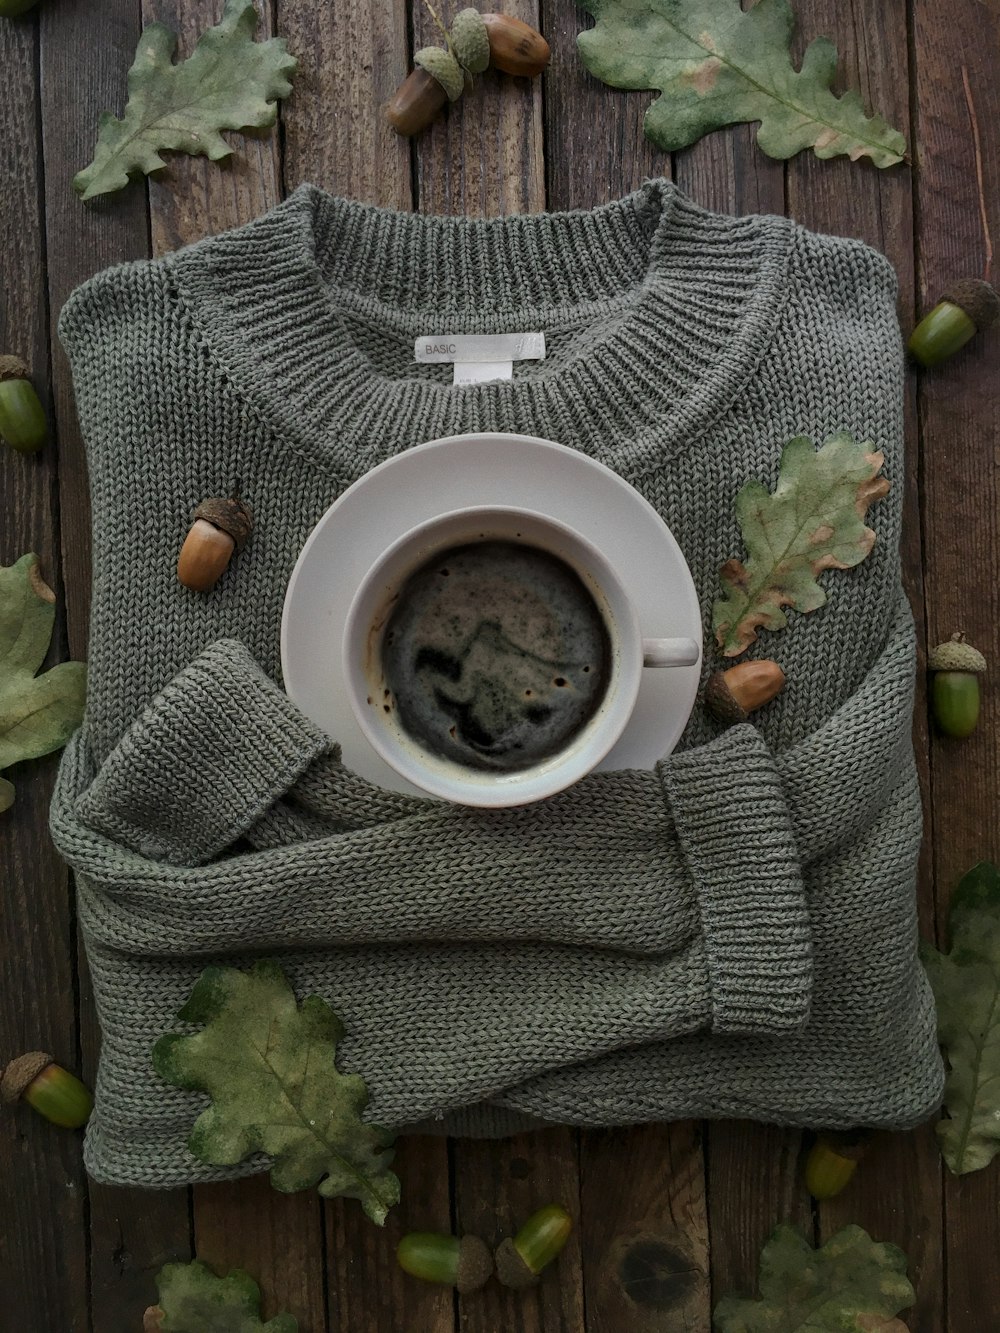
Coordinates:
966	983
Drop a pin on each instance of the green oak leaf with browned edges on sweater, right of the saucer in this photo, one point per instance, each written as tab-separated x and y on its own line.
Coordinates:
814	522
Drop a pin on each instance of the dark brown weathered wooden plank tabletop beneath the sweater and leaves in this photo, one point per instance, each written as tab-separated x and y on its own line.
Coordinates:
670	1216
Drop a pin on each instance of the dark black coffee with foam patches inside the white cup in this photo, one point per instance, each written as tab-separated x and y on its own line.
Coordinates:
495	657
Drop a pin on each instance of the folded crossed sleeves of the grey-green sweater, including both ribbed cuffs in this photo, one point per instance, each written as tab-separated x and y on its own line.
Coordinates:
701	862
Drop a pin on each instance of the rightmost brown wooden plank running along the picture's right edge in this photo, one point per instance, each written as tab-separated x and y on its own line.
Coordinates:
958	97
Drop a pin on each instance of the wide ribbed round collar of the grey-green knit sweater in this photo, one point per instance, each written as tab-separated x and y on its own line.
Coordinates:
671	309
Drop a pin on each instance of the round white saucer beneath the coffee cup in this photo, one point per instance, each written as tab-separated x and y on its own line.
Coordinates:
487	470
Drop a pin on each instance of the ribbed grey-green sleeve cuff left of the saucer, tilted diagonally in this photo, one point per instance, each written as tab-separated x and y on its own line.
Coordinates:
203	763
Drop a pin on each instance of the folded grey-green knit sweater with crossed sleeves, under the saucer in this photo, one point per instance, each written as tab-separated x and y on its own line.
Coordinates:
730	935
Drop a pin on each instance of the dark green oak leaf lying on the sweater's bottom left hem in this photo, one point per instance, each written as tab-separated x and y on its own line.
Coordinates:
269	1066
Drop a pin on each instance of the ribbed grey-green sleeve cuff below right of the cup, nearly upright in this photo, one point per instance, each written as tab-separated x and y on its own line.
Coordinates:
737	838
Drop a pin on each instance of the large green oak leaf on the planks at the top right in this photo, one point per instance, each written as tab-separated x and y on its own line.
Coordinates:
717	66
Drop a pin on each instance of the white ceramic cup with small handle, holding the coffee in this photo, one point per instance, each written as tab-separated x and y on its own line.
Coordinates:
445	776
